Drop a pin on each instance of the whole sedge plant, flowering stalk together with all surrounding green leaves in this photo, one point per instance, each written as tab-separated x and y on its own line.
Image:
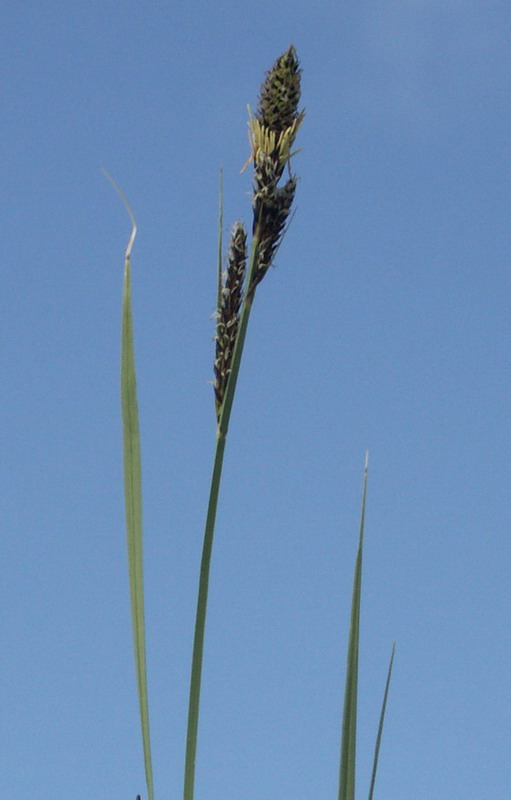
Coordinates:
272	132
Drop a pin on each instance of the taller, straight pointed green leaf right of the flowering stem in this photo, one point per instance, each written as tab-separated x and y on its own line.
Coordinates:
349	721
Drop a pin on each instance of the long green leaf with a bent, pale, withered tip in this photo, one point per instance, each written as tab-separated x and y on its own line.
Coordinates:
133	496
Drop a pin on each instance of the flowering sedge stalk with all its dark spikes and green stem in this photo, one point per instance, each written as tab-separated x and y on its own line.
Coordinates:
272	132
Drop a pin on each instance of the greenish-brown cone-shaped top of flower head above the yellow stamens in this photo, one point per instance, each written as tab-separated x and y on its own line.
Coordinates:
280	93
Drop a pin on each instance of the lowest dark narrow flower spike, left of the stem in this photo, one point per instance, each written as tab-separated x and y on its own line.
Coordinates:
231	297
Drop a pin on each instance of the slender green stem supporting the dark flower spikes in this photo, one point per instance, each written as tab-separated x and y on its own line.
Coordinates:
207	547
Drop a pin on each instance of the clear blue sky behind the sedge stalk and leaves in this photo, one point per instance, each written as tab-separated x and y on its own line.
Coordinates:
384	326
